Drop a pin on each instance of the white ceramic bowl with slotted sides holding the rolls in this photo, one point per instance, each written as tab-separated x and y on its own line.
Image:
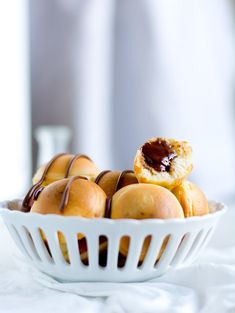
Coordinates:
187	238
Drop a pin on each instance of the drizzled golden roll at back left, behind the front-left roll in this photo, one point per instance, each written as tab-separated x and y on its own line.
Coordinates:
66	165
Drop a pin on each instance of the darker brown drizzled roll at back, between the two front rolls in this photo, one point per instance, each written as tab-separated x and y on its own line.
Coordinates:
112	181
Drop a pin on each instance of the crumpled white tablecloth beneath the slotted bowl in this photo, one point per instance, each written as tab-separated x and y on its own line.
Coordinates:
207	286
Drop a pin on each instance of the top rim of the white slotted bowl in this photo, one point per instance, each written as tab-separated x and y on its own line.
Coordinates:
221	208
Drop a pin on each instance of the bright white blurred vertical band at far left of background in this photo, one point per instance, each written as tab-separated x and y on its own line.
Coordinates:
15	156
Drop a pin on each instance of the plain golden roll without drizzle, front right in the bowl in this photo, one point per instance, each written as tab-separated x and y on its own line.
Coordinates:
143	201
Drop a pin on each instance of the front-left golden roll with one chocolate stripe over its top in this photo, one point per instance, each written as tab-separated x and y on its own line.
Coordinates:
71	197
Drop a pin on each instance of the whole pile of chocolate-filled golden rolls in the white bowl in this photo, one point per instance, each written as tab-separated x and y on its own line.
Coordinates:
157	188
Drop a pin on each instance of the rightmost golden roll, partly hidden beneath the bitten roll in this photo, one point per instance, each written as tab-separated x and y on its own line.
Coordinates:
192	199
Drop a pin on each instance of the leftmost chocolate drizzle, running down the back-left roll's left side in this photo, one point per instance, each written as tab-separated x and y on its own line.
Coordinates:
30	197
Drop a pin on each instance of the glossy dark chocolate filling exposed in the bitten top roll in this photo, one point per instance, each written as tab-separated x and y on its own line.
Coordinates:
158	155
